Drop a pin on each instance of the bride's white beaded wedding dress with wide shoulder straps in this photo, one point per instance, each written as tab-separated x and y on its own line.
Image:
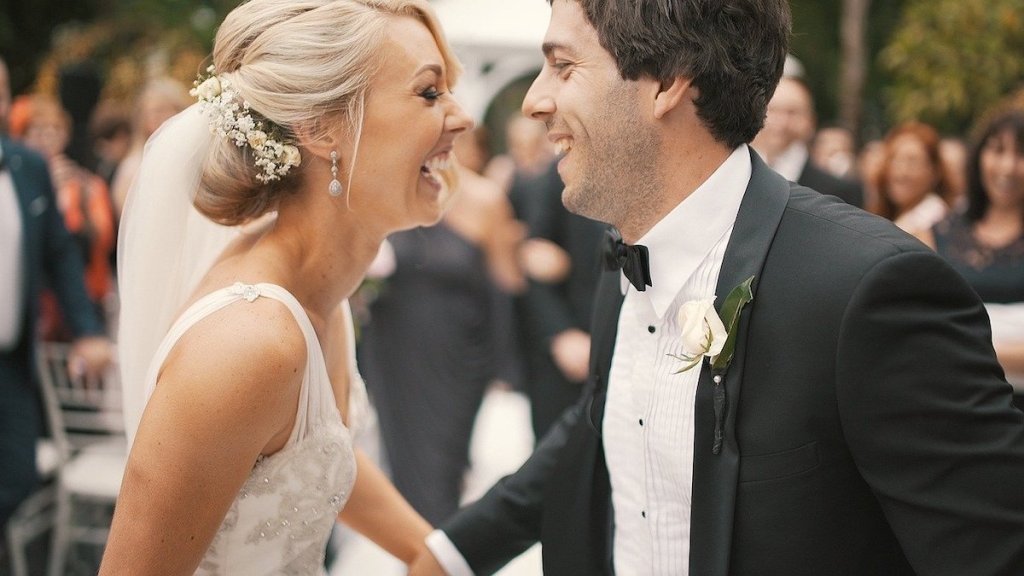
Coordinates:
282	518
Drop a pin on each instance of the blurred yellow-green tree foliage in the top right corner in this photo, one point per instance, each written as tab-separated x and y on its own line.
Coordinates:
951	60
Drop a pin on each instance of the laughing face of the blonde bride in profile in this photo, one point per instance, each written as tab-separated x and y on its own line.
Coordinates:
410	126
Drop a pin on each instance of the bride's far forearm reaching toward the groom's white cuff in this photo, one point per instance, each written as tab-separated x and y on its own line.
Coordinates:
377	511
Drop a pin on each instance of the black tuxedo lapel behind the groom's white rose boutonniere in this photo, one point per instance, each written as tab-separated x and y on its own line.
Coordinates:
715	476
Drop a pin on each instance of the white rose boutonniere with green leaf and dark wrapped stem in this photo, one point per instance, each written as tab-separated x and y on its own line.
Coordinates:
711	335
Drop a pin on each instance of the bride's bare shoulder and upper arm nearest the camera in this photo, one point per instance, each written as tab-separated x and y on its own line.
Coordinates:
228	393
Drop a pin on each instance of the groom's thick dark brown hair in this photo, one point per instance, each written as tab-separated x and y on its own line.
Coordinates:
734	51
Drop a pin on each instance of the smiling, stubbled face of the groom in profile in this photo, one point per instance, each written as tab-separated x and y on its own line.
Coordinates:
594	117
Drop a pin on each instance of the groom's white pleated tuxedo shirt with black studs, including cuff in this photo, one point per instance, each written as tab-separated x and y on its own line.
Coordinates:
649	419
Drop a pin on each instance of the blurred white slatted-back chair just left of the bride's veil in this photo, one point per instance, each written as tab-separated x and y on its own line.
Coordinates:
89	432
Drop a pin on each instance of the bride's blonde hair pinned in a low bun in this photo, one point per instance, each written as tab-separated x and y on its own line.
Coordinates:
304	66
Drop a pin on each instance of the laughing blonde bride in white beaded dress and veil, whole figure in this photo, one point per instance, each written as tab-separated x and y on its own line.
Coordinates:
322	128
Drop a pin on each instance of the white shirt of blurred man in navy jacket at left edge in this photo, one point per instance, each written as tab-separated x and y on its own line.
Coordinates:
11	262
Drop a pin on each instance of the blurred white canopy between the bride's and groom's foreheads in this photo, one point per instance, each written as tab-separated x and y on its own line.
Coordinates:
498	42
